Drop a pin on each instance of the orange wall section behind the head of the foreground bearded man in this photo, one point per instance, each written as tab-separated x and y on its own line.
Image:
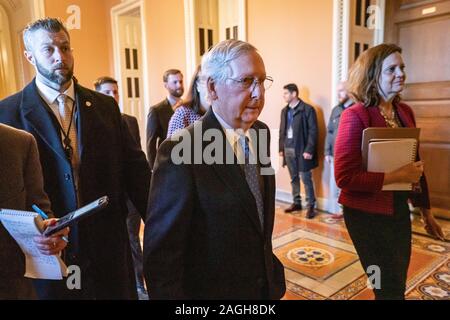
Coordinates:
90	44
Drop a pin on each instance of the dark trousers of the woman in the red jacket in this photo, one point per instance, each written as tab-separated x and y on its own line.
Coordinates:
385	242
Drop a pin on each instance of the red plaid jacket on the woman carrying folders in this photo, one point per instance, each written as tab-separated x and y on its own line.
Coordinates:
361	189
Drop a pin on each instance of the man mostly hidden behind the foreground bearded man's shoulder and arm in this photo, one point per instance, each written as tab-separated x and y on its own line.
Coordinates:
109	86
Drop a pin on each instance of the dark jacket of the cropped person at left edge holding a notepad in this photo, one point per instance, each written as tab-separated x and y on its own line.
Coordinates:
21	186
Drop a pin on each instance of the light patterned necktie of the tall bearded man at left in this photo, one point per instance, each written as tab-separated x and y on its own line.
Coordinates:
69	138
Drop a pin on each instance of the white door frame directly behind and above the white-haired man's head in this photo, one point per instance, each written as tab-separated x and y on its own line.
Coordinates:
190	32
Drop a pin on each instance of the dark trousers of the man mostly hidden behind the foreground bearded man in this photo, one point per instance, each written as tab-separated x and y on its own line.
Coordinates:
134	224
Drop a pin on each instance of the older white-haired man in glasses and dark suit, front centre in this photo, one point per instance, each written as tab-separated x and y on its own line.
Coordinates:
208	233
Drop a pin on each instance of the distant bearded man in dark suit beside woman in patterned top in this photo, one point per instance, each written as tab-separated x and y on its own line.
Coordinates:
159	115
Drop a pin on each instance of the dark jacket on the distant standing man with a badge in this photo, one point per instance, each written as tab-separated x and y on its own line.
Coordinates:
306	135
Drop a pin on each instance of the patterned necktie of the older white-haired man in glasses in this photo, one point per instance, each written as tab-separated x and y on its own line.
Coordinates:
252	177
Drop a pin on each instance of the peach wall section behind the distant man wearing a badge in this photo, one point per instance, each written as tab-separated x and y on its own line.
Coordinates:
295	39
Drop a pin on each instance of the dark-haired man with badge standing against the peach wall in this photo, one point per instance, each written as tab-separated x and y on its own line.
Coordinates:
298	147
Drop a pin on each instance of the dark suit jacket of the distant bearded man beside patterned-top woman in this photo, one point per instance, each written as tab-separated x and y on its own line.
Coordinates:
157	123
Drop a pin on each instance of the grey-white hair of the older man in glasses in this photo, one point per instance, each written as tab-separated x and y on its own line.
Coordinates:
215	63
